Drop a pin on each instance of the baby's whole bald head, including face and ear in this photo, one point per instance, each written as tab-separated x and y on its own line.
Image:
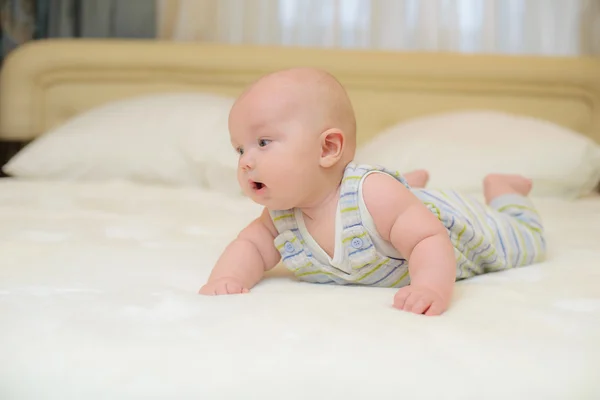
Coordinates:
295	132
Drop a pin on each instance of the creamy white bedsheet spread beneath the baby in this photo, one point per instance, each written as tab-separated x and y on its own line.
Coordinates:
98	300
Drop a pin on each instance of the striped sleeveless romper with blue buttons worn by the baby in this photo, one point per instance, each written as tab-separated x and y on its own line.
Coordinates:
505	234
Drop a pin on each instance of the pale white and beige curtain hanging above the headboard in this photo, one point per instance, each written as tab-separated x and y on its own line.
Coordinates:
546	27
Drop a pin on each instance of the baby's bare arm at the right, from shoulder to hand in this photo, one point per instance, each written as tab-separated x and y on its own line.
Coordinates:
401	218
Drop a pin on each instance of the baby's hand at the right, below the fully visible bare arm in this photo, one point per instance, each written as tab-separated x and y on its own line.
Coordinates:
420	300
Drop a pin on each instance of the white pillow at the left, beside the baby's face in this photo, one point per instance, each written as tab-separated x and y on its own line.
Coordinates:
144	139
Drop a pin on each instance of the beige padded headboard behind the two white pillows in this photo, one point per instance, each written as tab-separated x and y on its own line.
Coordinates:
46	82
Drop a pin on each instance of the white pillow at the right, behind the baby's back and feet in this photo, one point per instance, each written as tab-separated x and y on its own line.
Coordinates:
460	148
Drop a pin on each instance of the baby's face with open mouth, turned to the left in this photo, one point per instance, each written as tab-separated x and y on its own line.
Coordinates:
278	150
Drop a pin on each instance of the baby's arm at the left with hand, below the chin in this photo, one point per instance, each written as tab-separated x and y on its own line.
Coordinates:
244	261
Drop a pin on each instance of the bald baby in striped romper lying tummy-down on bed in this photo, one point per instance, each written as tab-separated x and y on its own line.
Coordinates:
330	219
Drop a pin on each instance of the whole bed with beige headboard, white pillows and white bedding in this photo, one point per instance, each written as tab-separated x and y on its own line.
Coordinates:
112	219
